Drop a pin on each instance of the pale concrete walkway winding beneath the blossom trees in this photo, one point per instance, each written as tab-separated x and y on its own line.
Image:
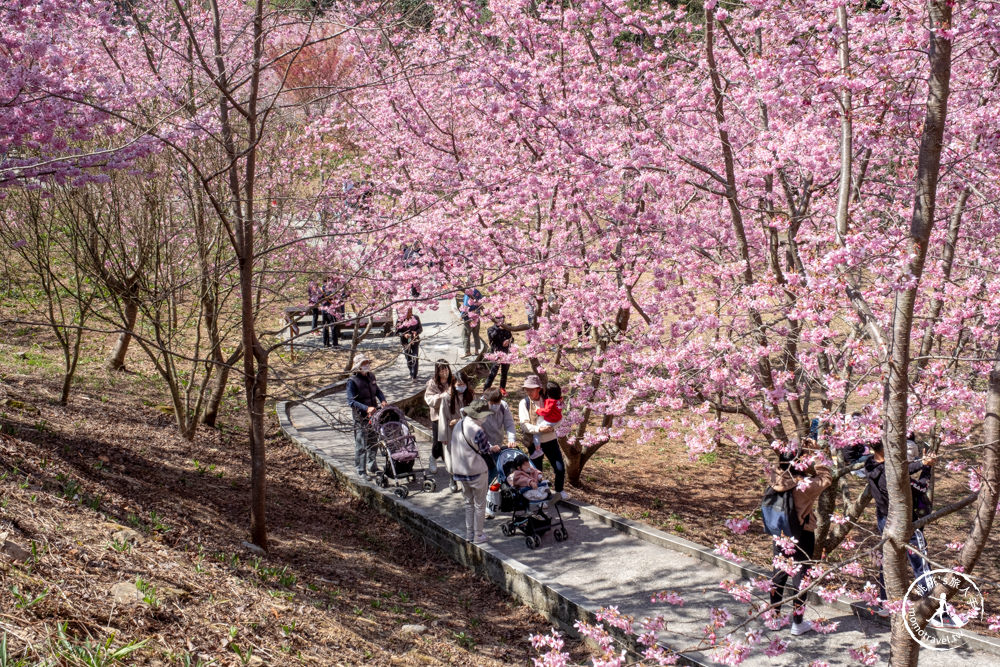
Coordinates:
606	560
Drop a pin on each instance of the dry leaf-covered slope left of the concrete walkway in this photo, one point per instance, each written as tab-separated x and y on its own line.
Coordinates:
118	531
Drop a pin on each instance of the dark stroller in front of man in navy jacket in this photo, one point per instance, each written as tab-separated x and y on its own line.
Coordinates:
396	445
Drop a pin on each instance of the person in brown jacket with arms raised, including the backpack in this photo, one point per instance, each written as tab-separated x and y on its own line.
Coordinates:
788	511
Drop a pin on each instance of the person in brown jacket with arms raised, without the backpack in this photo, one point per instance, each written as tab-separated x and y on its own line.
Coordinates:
806	487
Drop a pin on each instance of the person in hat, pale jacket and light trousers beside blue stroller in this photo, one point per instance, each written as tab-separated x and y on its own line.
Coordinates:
467	448
